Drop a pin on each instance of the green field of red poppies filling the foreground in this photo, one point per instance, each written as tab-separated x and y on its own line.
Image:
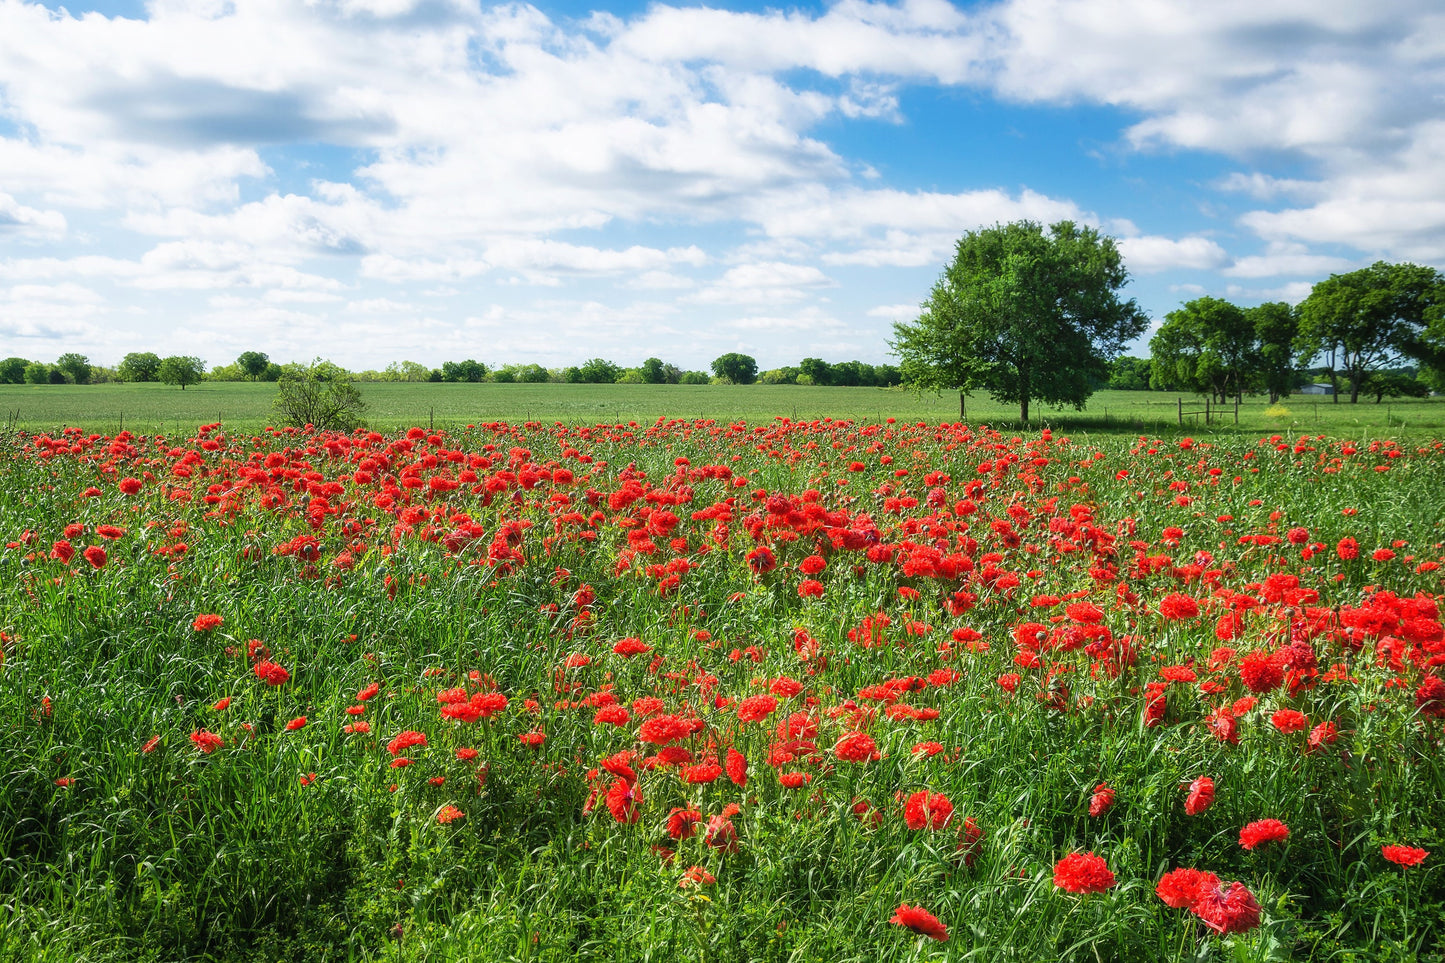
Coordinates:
694	690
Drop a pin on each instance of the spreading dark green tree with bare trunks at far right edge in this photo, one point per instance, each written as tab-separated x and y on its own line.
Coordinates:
1371	319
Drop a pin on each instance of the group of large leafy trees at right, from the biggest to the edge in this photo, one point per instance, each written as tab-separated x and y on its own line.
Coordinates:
1038	317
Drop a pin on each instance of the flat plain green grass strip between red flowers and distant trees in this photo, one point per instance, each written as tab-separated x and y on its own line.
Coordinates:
160	408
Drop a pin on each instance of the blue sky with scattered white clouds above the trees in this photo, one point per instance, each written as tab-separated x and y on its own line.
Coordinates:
374	181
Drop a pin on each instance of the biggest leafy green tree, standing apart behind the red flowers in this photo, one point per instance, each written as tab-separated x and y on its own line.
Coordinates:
1025	314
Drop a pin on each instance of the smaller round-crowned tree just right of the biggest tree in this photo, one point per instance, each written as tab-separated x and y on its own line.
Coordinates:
1207	346
